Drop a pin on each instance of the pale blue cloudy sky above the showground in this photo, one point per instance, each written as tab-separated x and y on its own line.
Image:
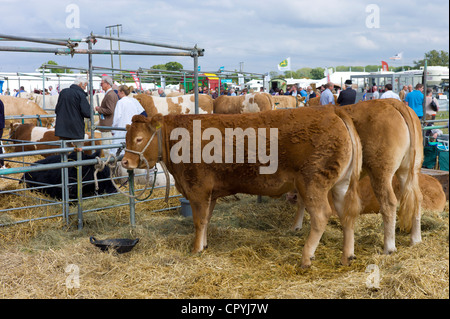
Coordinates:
258	33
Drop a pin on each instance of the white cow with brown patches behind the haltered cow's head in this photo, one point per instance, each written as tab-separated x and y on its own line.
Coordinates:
184	104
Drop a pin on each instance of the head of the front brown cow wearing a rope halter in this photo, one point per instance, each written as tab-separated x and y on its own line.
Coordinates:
142	140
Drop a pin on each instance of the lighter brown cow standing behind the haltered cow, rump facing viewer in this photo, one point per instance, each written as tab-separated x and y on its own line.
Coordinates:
391	137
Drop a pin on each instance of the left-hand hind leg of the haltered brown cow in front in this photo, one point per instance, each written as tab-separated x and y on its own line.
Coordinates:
319	210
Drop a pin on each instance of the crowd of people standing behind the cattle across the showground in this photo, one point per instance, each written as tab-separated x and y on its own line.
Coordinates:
117	108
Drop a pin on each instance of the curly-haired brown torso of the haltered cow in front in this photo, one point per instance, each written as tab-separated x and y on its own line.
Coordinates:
312	142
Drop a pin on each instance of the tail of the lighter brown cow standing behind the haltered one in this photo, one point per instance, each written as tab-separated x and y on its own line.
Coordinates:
411	196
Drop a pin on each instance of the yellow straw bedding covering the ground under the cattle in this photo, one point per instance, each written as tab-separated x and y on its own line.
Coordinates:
251	254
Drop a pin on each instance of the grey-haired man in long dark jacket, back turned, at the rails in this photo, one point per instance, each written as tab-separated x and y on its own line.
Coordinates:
71	109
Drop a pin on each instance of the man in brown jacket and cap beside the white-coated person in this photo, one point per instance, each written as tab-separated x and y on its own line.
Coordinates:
106	109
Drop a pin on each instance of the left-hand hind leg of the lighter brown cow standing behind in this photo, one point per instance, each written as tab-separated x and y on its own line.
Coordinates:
382	187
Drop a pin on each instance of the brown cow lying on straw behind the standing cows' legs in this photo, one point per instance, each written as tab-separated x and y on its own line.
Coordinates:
433	196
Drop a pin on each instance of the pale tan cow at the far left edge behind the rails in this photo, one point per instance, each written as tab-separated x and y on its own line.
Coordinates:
20	106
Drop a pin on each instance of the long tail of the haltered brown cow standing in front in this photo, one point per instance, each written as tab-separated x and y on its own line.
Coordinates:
352	201
